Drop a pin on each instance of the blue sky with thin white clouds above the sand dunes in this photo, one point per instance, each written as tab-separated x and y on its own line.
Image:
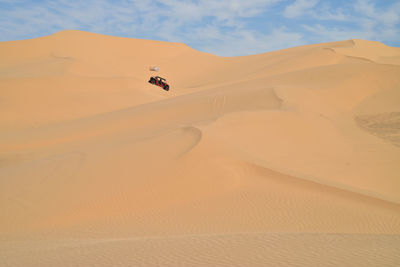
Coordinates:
222	27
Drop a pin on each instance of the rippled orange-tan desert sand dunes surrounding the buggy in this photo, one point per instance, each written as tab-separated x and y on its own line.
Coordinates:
287	158
